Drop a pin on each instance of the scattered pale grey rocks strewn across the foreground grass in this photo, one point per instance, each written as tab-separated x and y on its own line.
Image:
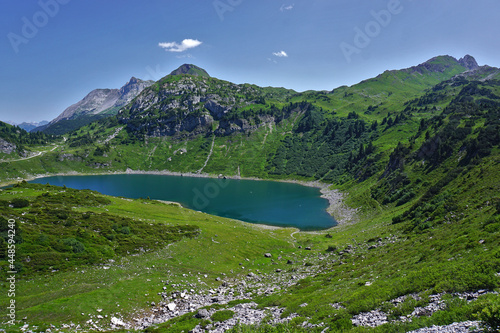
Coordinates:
198	299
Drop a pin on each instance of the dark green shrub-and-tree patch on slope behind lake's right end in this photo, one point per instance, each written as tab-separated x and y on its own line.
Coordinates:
328	149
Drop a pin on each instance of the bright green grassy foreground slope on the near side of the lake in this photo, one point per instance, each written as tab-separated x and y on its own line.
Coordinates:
360	267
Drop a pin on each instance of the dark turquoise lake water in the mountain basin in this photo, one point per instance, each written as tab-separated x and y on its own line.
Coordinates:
263	202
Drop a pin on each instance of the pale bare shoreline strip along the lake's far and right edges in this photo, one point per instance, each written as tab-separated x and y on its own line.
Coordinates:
343	214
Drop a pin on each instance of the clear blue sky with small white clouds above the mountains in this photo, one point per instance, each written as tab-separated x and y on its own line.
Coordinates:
54	52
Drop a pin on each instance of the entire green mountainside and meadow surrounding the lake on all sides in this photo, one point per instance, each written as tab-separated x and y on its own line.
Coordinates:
415	152
